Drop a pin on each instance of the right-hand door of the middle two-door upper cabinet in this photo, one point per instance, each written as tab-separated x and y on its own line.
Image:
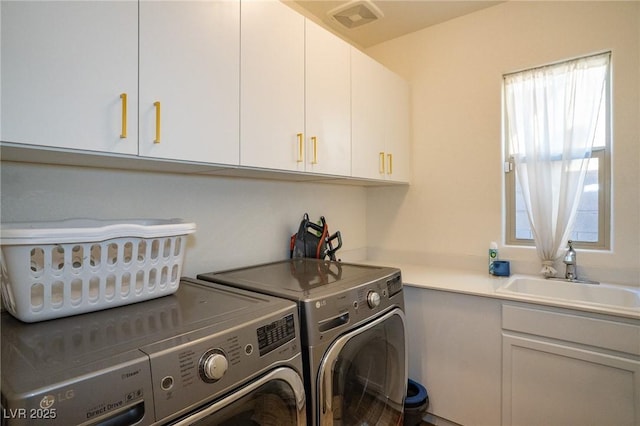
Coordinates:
327	102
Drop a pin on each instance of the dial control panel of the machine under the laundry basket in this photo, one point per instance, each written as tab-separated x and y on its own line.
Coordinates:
206	364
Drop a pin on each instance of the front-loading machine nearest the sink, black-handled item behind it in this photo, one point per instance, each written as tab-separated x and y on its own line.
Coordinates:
353	334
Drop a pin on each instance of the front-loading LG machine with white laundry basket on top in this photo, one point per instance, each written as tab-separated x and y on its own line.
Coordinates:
206	355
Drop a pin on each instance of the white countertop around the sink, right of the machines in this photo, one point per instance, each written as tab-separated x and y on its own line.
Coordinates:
482	284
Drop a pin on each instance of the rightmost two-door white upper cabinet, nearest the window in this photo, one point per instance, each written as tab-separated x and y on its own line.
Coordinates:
380	121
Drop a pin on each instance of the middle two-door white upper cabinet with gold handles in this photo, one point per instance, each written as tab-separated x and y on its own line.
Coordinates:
295	93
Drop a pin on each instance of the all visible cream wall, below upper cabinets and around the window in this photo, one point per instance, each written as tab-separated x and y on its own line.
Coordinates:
453	208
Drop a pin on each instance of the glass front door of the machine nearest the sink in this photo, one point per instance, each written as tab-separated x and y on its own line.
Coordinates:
363	376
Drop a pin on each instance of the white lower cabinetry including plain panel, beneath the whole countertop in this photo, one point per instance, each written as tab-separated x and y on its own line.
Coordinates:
487	361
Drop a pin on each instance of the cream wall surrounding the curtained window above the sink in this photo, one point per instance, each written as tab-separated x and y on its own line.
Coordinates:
453	208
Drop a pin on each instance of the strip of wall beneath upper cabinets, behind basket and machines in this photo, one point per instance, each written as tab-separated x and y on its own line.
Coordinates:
239	221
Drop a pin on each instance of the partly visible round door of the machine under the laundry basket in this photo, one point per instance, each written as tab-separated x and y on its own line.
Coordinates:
274	399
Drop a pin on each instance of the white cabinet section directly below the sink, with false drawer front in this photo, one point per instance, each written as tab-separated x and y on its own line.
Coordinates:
564	368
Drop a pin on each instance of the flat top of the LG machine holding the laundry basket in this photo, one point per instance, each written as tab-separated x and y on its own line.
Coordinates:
66	348
